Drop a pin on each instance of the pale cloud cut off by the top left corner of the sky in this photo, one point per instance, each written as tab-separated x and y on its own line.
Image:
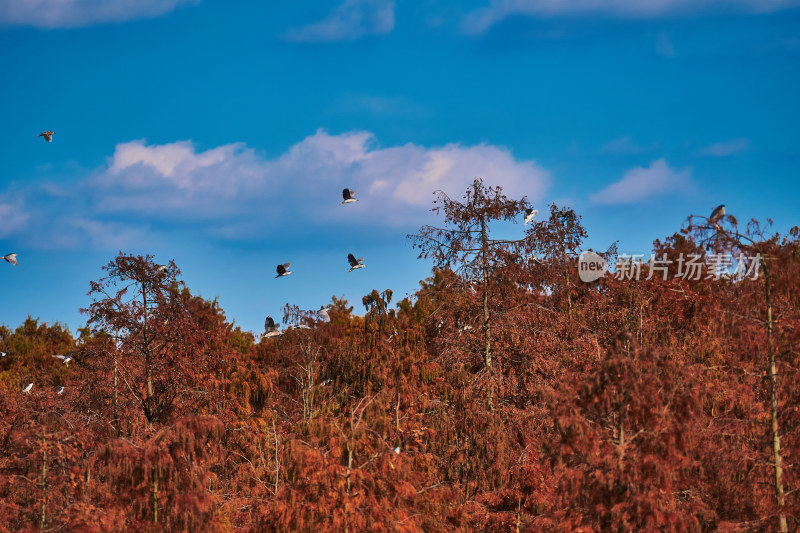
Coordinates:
76	13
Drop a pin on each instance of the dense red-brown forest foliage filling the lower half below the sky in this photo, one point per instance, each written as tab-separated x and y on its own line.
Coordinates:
616	405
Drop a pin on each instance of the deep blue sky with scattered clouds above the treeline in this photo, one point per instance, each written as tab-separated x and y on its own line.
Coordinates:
220	134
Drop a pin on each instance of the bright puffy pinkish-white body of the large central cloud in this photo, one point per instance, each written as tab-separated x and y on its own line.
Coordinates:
176	181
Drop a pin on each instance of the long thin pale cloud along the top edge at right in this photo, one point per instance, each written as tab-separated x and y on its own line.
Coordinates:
480	20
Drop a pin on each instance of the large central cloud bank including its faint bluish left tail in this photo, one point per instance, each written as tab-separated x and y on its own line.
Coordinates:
233	192
